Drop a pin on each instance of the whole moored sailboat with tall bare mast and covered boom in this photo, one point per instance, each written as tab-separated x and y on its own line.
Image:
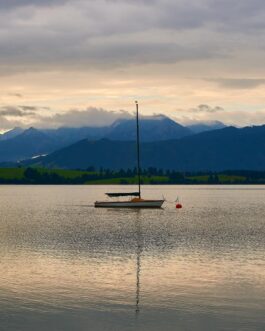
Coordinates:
135	200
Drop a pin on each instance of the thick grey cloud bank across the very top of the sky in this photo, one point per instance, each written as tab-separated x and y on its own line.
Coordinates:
49	34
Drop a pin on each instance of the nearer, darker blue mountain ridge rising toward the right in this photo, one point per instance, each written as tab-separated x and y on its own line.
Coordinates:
228	148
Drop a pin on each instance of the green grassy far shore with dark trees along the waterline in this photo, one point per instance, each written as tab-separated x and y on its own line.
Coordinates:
153	176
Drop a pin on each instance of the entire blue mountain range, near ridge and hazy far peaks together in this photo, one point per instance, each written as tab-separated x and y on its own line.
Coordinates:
164	144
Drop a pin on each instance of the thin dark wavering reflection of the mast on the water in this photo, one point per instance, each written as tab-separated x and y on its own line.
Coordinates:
139	250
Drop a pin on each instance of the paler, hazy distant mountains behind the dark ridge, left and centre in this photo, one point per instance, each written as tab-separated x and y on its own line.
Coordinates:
19	144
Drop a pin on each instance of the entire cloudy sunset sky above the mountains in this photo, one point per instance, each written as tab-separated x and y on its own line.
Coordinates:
85	62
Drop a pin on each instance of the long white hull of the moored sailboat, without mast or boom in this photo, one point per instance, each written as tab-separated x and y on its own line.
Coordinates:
130	204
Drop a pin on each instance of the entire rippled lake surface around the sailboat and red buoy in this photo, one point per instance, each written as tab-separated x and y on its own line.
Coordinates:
68	266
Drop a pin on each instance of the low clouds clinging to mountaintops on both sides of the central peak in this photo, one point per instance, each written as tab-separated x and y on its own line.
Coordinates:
26	116
